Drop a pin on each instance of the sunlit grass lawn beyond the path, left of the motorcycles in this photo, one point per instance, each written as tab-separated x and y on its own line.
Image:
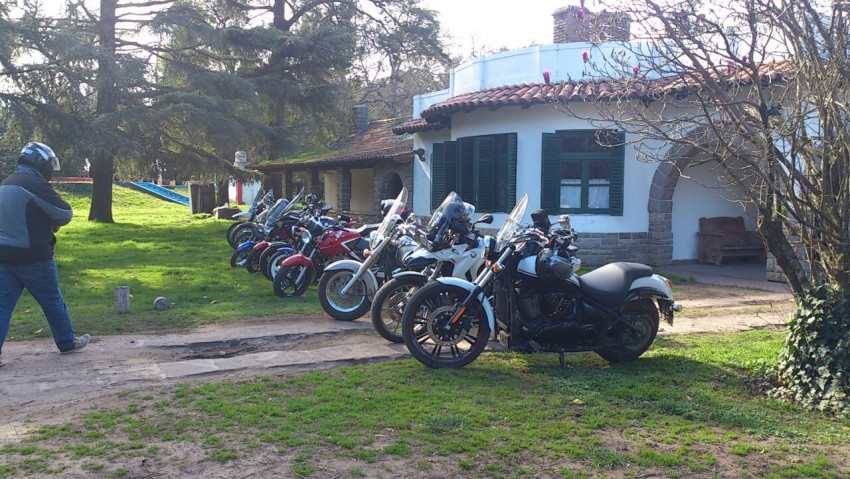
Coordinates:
157	249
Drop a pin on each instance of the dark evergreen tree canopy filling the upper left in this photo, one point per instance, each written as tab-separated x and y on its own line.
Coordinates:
139	86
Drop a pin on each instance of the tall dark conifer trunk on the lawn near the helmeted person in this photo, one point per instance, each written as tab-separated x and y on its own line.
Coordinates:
107	103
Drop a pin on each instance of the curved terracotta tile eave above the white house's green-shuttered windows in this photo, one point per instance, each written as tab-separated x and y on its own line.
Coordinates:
528	94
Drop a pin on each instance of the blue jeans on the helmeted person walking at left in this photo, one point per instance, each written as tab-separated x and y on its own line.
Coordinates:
42	281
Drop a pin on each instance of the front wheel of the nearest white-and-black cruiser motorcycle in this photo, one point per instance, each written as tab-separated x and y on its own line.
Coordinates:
429	333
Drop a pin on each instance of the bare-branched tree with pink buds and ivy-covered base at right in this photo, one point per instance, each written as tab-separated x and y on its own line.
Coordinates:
761	90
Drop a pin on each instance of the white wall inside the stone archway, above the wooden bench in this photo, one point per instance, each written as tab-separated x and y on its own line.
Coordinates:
700	193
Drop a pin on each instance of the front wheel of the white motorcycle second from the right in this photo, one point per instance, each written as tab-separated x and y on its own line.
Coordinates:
388	305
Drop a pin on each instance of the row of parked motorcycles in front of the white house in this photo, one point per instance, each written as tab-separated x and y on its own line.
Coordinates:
445	288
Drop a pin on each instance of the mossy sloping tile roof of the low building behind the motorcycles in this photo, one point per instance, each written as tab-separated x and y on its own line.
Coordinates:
378	143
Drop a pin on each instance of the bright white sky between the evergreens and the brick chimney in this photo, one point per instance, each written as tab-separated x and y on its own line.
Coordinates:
492	24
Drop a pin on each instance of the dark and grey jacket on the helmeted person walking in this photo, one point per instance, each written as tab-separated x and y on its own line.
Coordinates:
30	211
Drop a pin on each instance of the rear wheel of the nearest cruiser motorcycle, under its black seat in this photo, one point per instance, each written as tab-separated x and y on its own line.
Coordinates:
642	315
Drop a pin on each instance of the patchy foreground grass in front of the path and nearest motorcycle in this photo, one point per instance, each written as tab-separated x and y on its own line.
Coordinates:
683	410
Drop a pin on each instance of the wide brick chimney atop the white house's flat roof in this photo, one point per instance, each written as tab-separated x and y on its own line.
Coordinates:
594	27
